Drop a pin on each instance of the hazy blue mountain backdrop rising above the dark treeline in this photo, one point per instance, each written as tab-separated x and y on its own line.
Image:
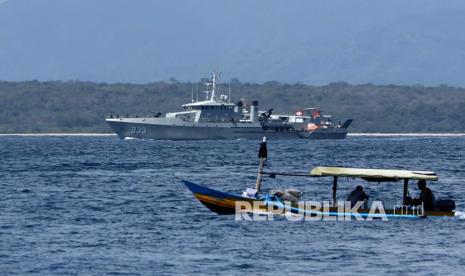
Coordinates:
400	42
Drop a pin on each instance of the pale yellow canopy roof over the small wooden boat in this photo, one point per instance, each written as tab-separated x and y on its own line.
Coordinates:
373	174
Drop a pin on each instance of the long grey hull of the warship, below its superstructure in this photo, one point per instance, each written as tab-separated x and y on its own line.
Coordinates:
211	131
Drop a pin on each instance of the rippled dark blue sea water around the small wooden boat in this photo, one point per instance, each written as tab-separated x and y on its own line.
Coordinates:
105	206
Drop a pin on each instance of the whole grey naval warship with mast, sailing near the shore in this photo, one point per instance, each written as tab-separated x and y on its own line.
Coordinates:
217	118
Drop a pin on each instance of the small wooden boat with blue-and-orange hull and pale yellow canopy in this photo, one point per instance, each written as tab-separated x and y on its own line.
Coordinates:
225	203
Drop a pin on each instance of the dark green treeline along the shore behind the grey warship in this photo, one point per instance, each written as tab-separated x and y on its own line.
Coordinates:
38	107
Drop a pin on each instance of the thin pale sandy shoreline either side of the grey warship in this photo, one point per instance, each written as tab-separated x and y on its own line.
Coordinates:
350	134
